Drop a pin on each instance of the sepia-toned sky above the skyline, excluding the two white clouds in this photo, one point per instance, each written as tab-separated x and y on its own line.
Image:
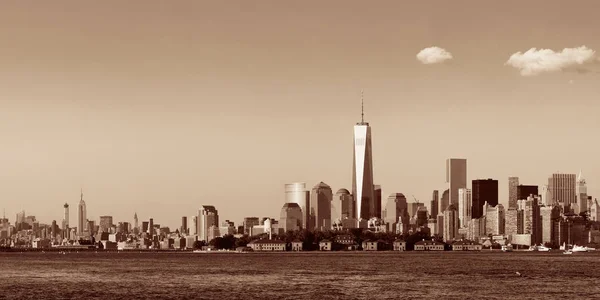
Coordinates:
159	107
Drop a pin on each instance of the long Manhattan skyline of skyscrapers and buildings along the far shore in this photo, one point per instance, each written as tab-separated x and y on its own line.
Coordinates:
562	213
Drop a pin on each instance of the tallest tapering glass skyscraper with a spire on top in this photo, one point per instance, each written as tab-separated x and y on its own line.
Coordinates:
362	171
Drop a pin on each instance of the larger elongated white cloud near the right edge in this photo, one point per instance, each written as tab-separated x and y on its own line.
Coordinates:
534	61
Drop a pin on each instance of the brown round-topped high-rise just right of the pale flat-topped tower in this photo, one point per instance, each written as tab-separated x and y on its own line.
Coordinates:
321	197
